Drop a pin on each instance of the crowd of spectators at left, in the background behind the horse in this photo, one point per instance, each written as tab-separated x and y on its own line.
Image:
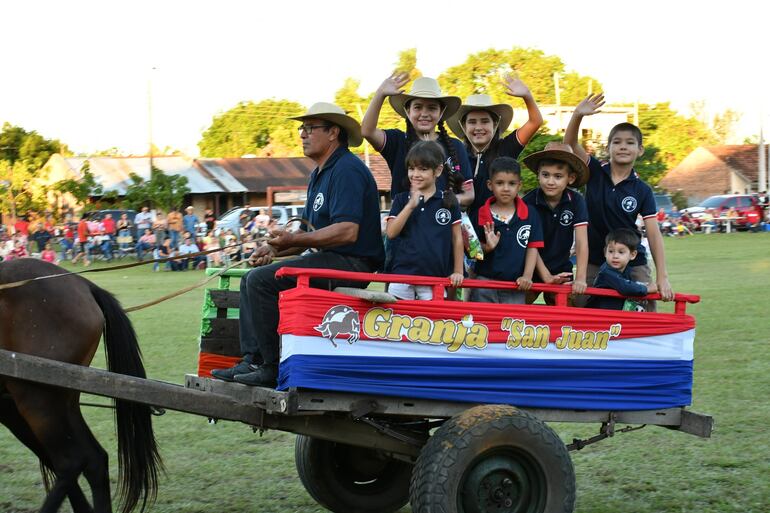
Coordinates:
151	234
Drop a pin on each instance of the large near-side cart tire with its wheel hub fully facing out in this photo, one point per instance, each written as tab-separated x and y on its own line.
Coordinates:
493	458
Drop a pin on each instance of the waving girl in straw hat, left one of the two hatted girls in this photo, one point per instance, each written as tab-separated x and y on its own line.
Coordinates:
425	109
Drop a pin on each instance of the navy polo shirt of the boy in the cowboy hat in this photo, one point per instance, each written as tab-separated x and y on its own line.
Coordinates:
558	226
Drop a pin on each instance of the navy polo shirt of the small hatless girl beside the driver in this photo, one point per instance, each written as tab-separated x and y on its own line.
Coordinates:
424	246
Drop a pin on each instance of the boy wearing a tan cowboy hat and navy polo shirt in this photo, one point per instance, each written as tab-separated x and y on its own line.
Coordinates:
563	215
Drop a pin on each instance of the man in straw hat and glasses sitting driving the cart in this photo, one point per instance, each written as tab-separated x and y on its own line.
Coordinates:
343	209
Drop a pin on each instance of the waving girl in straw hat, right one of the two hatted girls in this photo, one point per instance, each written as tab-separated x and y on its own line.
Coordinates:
480	123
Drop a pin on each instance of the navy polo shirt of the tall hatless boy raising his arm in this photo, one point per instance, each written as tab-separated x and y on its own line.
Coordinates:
612	206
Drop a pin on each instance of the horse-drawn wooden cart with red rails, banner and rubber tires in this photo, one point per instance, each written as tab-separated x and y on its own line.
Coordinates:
443	404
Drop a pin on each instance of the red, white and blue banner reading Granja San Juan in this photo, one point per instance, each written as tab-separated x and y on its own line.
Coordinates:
533	356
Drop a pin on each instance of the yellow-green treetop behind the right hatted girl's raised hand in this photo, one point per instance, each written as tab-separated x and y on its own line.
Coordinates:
482	72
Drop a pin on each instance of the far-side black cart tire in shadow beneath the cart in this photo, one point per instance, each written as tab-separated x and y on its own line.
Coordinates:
349	479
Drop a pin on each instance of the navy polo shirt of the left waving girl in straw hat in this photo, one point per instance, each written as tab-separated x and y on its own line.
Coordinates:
394	152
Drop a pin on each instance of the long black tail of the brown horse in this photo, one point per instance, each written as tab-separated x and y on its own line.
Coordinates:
138	460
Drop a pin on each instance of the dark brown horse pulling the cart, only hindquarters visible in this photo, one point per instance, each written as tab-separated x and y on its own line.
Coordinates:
63	319
